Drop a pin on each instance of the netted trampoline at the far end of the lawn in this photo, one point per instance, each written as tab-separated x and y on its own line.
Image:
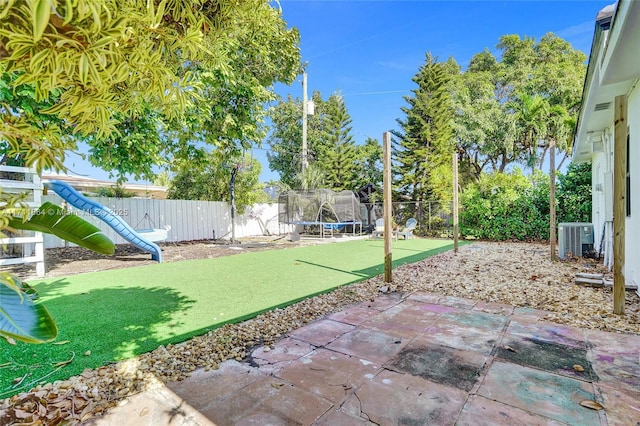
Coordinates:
321	211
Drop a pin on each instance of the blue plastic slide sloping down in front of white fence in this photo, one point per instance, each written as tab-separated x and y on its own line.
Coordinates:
105	214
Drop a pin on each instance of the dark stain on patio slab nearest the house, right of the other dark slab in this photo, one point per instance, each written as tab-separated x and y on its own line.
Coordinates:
547	356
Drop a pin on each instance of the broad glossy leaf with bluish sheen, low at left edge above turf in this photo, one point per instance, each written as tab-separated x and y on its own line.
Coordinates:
21	318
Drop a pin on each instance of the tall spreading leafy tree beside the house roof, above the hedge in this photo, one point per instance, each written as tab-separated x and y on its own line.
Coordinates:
499	102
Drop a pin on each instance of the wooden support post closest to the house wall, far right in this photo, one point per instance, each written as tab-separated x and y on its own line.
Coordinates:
619	202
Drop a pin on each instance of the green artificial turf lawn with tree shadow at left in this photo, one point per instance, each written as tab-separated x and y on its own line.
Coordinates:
120	313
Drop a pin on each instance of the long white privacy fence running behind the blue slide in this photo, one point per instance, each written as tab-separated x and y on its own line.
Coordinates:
186	220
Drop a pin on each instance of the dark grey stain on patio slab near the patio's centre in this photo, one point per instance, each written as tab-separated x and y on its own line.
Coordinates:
438	364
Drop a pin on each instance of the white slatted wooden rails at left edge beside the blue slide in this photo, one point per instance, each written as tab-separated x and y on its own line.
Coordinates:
28	245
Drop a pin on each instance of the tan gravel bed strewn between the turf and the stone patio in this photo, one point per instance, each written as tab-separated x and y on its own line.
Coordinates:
519	274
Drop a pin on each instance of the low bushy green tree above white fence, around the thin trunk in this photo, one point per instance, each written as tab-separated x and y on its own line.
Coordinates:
210	180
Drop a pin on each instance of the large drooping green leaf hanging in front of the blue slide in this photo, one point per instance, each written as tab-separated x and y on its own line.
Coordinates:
53	219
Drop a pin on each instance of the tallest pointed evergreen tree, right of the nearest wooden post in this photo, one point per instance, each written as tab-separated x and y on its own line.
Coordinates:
423	146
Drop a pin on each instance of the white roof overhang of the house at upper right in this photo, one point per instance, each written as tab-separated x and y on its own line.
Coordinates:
614	67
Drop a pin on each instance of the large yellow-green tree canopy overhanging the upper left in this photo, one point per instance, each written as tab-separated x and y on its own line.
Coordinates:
139	81
